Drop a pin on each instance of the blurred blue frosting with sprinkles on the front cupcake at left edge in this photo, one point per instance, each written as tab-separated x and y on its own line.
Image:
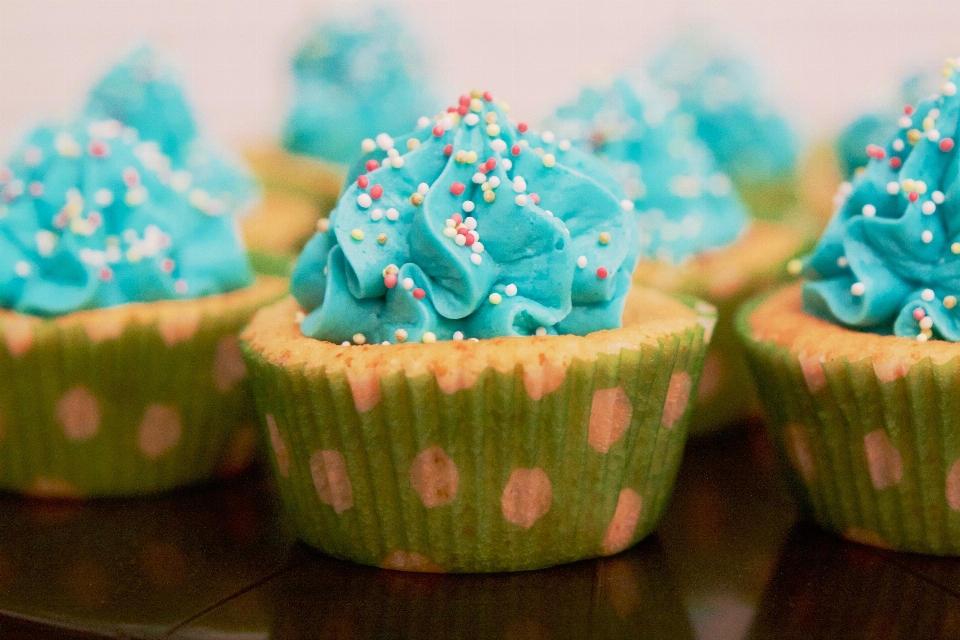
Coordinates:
91	216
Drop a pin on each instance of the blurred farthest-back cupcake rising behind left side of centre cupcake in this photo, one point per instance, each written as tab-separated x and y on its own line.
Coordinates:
353	78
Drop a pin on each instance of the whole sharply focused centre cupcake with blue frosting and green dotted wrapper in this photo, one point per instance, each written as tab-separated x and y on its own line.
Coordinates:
464	379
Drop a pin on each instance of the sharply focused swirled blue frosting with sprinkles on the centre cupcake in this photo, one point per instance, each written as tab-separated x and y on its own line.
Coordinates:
469	227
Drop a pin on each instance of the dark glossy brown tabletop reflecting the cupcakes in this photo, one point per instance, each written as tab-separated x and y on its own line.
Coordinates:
728	562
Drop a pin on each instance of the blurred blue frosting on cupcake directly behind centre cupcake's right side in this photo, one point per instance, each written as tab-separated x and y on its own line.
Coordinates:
684	203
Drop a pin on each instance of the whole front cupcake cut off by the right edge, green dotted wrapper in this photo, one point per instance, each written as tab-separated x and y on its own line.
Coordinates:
857	364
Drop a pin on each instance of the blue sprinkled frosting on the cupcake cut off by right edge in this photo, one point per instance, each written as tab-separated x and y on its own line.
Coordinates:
889	261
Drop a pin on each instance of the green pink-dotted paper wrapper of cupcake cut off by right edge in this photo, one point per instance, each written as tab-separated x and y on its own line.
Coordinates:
872	451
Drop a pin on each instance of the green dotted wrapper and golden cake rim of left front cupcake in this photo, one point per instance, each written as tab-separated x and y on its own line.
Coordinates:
128	400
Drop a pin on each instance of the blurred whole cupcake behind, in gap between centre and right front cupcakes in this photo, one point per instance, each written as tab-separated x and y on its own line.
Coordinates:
696	237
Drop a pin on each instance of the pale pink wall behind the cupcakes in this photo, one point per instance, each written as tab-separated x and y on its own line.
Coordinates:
828	59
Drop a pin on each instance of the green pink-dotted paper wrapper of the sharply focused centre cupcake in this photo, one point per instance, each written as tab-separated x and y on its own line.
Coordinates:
497	476
